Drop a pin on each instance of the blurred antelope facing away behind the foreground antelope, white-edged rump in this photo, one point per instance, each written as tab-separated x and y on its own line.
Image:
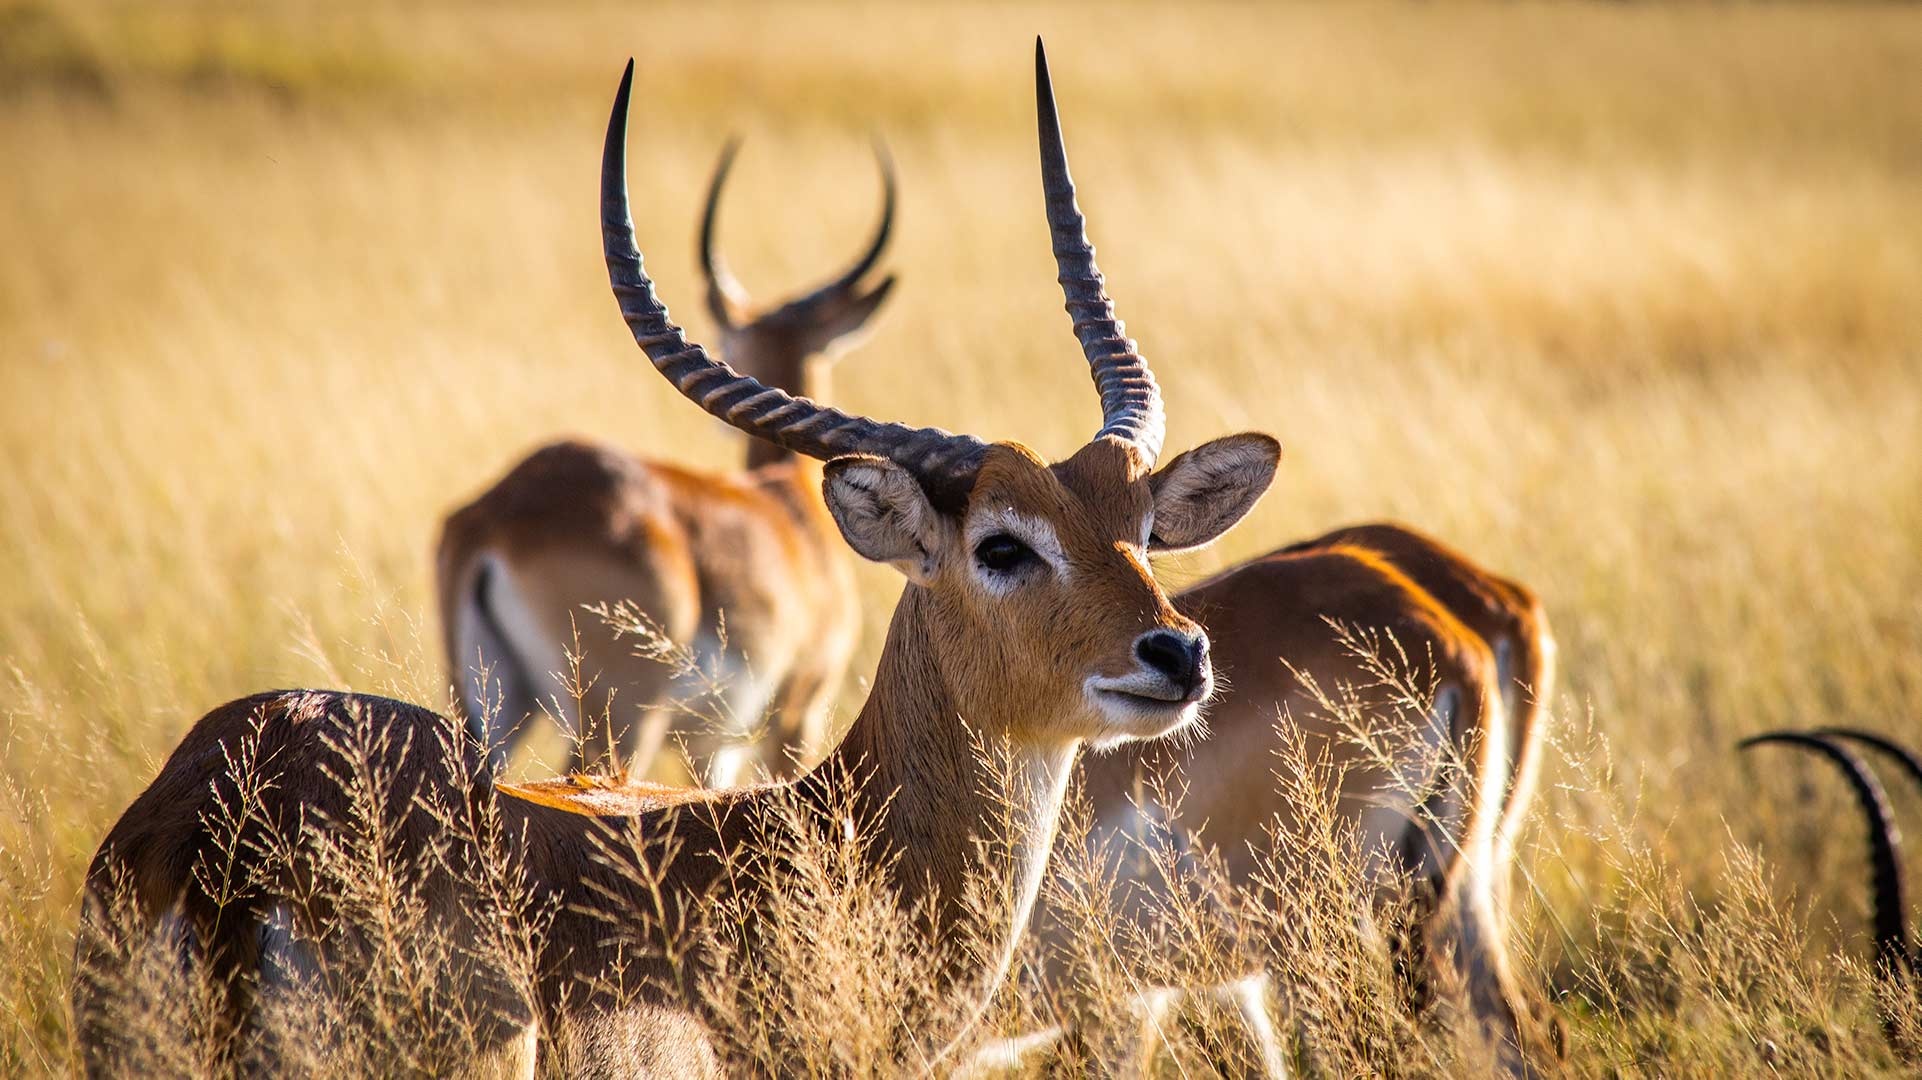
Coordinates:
743	572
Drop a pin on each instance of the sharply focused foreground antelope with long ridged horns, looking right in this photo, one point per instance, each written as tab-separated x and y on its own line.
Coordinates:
1031	624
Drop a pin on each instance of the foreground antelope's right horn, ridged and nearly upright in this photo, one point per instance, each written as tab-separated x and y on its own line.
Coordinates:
1131	403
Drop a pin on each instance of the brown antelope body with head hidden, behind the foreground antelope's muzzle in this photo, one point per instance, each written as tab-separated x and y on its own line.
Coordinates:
1435	802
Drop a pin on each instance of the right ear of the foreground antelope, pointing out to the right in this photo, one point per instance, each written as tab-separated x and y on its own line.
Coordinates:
1206	491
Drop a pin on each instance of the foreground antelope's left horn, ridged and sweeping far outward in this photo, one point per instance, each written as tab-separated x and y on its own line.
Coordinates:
943	462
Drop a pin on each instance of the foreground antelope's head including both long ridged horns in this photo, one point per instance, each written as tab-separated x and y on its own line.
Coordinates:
1031	597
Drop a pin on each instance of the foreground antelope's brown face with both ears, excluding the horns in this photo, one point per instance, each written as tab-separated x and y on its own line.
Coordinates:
1041	599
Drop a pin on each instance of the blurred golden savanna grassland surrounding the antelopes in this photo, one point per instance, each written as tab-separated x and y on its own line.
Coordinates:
1623	301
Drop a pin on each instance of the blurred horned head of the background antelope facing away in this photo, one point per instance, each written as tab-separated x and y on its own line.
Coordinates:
779	345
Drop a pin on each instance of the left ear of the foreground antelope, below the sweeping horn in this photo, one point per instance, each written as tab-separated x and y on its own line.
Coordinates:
885	516
